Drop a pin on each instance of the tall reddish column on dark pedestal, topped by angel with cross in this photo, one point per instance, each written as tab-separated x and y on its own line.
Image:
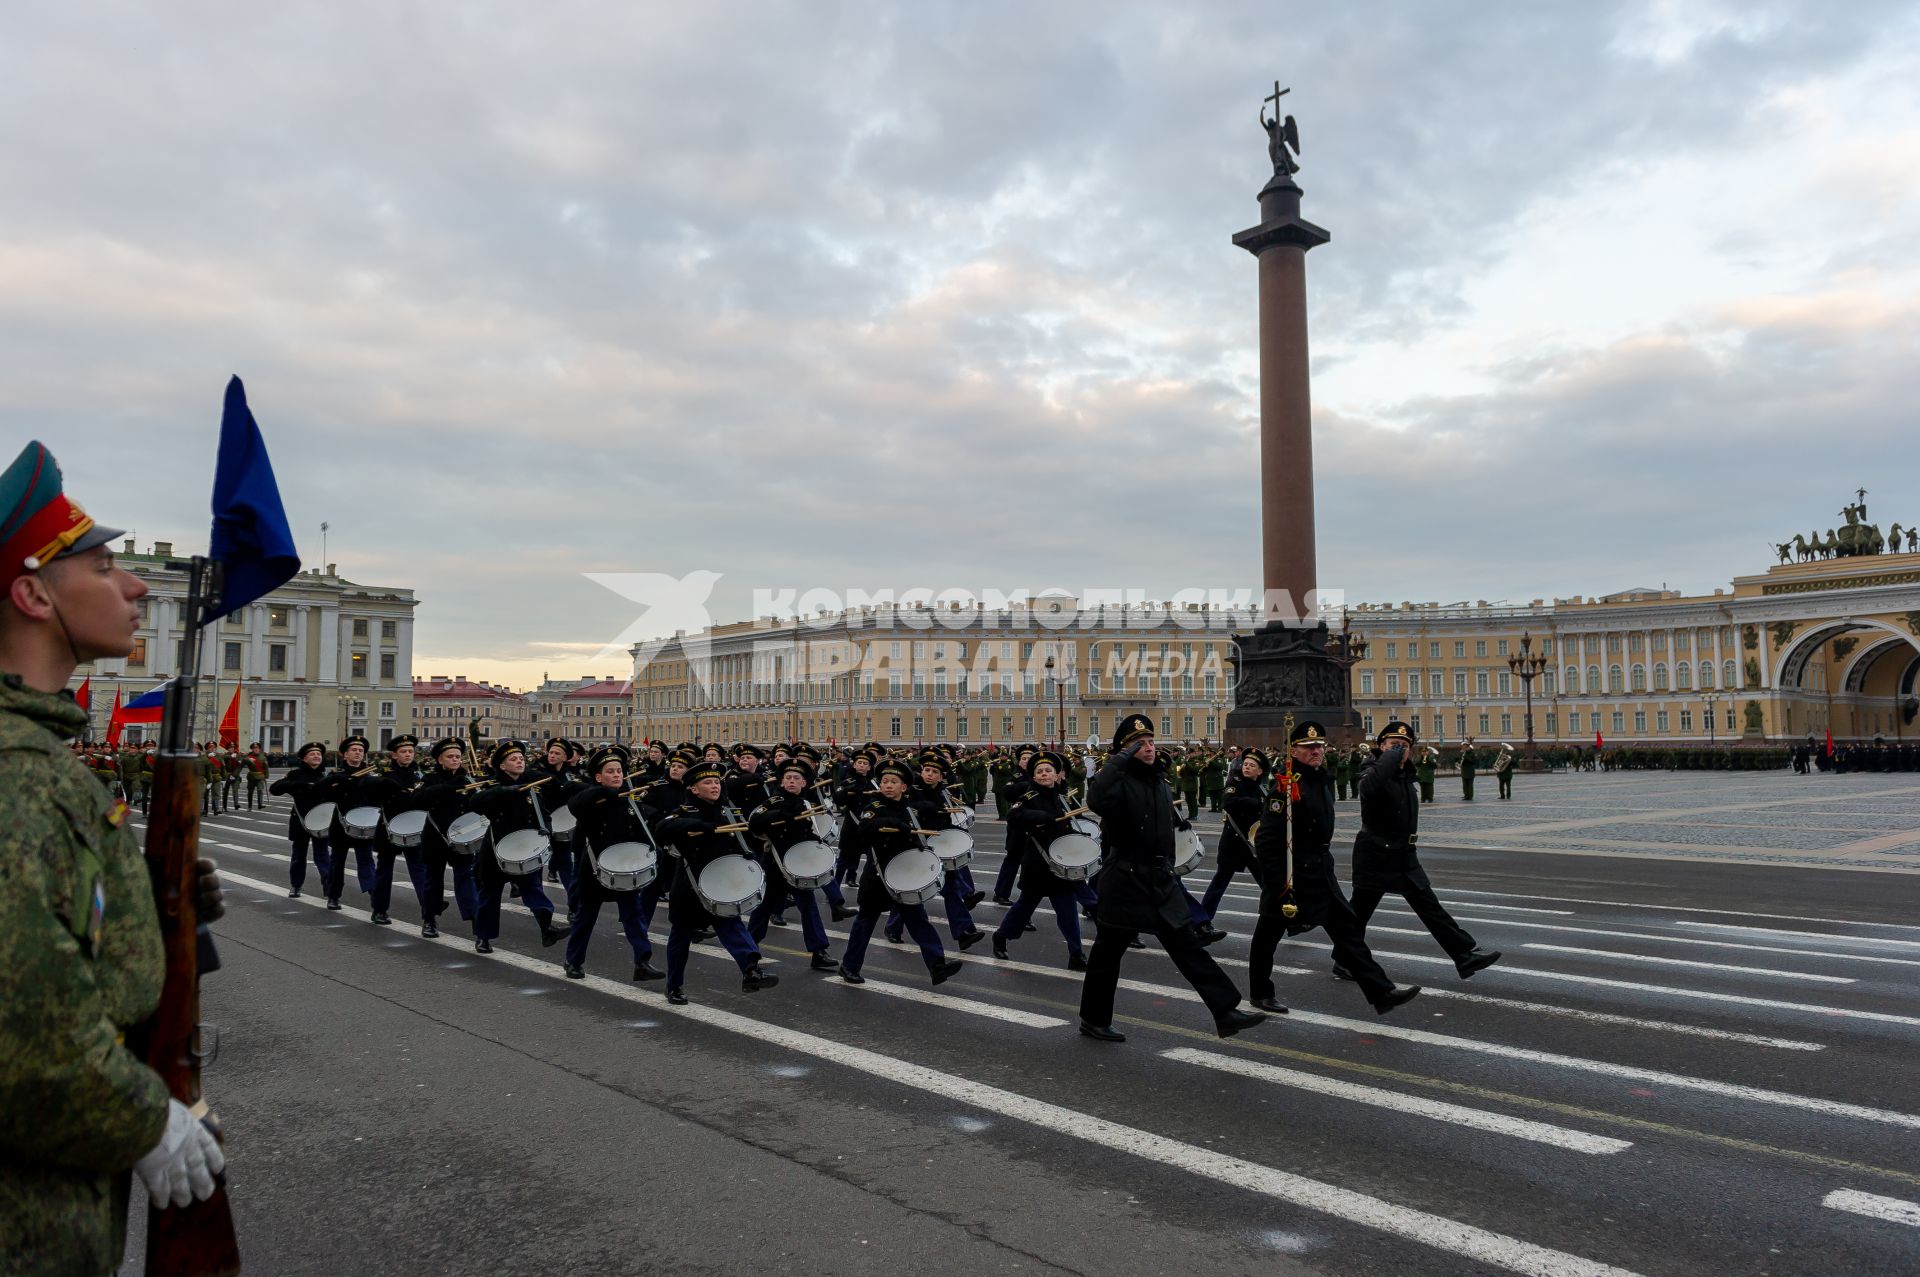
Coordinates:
1291	665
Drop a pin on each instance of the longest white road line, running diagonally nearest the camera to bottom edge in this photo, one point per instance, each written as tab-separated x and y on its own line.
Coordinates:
1451	1236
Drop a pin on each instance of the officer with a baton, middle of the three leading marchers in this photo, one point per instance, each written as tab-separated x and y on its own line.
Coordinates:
1308	806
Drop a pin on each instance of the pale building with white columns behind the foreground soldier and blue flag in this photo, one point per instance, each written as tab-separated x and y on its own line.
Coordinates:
316	660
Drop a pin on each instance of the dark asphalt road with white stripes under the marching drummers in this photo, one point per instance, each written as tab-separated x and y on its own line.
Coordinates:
1679	1069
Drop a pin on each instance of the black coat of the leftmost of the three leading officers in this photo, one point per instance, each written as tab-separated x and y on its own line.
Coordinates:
1138	886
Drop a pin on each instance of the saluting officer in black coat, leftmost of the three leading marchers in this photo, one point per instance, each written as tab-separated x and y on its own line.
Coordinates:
1140	890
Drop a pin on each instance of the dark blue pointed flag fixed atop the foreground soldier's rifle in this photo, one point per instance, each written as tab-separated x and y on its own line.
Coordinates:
251	537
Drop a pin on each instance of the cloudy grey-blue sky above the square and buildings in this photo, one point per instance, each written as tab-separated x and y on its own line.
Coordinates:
942	295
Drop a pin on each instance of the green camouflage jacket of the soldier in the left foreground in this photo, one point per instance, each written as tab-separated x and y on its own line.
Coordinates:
80	965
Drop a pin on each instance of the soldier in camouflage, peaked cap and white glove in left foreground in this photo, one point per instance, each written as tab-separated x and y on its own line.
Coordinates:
80	936
